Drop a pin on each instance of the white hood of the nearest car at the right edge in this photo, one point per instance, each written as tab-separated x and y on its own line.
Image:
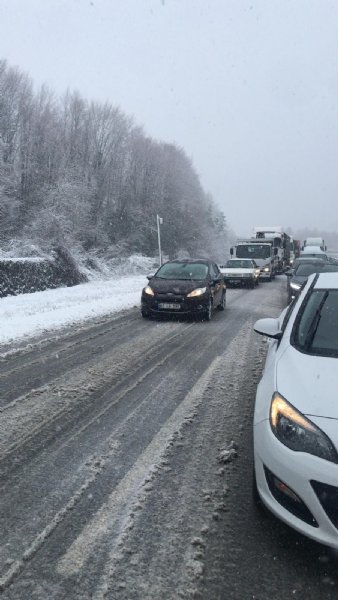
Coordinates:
309	383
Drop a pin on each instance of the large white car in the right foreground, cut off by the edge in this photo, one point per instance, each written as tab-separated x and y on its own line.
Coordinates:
296	412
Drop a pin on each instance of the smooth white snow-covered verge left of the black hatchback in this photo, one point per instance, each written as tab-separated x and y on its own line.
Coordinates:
32	314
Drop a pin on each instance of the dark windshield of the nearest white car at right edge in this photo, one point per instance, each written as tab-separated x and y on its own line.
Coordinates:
316	330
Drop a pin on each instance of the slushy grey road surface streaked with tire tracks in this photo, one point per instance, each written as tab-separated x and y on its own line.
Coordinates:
125	465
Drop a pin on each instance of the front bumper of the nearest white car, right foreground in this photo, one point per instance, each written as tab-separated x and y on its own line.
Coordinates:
317	511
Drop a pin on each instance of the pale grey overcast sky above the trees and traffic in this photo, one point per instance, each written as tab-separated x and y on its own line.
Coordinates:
248	88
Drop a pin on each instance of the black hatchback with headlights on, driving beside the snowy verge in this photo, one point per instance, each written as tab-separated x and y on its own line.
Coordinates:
183	287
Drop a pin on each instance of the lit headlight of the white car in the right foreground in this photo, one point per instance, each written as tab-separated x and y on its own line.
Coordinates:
297	432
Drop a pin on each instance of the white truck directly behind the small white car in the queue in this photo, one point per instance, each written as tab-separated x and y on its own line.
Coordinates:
262	251
